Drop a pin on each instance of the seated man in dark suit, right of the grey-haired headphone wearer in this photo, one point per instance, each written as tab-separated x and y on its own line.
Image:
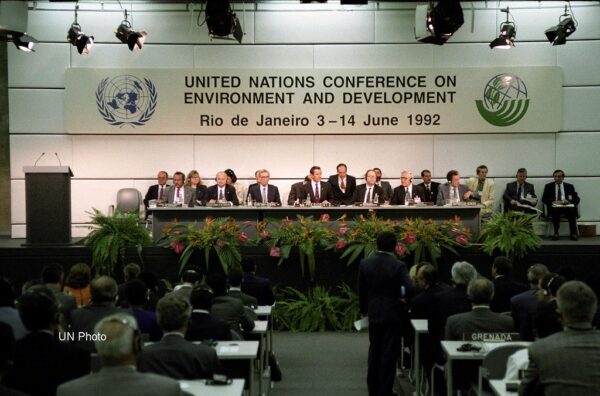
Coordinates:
174	356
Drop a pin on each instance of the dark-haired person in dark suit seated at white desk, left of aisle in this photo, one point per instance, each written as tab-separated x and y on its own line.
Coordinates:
202	326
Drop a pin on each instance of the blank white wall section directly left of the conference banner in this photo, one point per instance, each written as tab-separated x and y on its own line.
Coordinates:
36	110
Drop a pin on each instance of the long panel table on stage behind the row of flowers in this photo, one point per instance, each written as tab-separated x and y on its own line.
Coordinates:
249	215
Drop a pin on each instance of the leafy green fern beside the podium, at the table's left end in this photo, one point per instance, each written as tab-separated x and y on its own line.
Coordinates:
111	235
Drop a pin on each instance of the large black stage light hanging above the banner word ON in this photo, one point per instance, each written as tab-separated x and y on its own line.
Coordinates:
436	24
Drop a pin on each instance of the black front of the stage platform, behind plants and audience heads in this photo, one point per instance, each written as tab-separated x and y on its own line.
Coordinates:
20	263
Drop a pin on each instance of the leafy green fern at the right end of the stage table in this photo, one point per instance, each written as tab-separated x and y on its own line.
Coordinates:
511	234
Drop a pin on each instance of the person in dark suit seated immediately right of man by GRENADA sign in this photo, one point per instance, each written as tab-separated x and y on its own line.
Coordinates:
523	305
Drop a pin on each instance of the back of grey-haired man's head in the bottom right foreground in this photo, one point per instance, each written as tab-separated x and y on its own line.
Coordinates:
576	302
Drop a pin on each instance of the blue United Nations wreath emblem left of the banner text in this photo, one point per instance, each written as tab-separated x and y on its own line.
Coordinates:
126	100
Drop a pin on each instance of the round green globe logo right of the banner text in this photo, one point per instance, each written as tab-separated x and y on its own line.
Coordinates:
504	101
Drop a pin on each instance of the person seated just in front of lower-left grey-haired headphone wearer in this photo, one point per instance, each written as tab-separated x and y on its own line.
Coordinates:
104	295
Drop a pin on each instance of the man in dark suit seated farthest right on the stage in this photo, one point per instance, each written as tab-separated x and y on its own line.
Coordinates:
556	195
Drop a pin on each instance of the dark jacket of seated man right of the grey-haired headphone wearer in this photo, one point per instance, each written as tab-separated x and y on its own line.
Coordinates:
175	357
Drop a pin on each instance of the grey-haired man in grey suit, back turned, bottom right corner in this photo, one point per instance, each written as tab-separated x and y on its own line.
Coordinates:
567	362
